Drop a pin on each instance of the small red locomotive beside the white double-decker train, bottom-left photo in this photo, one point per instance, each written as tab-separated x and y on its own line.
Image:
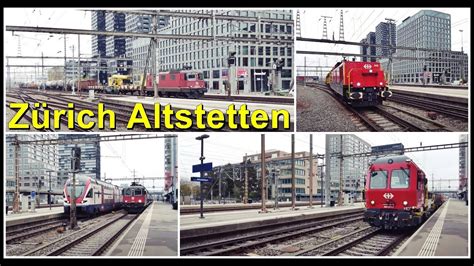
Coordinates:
135	198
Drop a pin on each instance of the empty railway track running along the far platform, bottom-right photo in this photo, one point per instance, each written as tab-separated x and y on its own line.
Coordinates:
241	240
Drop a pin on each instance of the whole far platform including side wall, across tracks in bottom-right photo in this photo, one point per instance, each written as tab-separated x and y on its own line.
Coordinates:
232	220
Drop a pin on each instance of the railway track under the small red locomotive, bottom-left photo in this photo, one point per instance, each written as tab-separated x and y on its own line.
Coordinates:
91	240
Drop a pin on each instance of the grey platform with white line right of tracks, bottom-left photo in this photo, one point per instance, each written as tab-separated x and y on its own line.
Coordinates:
154	233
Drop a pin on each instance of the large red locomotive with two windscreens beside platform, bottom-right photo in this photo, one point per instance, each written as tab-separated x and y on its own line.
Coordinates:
396	194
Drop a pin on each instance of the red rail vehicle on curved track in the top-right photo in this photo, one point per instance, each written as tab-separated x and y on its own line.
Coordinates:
359	83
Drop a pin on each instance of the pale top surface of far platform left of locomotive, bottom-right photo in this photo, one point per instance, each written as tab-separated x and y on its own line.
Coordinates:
225	218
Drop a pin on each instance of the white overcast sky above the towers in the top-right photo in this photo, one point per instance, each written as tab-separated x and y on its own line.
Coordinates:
358	22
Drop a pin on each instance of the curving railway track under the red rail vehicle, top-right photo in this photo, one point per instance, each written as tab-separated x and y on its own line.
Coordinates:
384	118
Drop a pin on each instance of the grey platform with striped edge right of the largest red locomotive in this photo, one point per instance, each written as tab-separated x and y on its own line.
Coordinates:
445	233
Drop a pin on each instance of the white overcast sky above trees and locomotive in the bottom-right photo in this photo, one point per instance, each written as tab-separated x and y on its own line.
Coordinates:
223	148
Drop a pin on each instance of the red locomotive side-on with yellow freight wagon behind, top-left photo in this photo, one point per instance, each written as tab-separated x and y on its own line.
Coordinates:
178	83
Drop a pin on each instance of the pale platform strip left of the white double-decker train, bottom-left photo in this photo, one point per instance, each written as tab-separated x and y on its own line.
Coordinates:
26	217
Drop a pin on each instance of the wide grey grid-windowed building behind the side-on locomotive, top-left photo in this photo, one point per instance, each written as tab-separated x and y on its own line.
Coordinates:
253	60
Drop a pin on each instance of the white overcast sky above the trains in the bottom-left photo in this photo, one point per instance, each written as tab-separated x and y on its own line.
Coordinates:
120	158
